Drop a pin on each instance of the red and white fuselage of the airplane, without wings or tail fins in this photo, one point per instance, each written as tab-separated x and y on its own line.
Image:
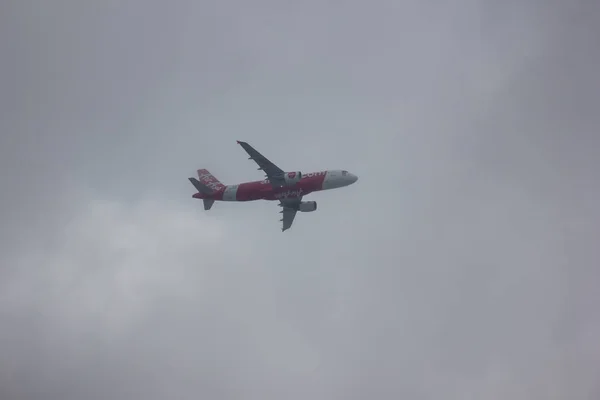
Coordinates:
263	190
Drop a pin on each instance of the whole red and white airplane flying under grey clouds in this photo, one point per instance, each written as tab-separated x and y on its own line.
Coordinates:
287	187
